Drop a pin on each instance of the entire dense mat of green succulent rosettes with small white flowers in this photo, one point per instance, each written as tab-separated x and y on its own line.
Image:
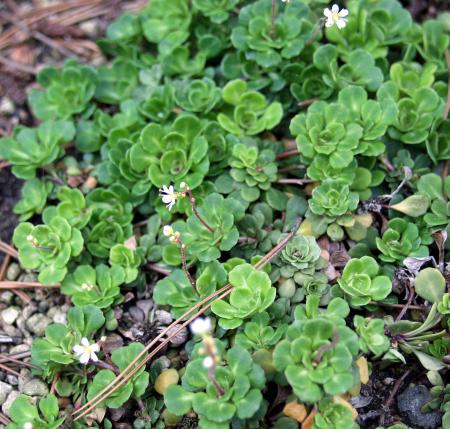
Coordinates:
273	176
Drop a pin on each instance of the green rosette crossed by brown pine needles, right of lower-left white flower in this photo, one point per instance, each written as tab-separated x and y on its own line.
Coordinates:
135	386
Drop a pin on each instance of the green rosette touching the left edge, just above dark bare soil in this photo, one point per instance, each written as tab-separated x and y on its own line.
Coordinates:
32	148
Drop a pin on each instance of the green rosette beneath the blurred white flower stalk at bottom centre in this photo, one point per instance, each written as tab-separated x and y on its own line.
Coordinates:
241	380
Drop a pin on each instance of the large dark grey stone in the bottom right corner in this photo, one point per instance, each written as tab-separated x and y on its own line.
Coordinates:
410	402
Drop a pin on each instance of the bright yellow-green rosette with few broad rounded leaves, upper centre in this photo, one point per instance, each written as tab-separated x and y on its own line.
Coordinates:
249	112
